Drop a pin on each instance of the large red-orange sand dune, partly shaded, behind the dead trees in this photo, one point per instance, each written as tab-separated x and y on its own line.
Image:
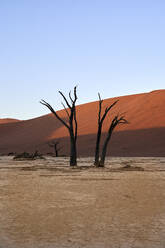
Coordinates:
143	136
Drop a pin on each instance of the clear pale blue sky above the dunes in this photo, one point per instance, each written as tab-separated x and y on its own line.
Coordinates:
115	47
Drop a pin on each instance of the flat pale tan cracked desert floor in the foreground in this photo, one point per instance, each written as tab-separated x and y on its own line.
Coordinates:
46	204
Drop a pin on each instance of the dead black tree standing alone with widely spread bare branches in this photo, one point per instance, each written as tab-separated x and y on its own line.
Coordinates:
71	124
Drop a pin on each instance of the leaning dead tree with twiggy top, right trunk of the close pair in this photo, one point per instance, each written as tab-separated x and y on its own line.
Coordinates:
115	122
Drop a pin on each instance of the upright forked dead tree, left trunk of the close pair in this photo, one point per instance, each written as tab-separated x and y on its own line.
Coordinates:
99	130
